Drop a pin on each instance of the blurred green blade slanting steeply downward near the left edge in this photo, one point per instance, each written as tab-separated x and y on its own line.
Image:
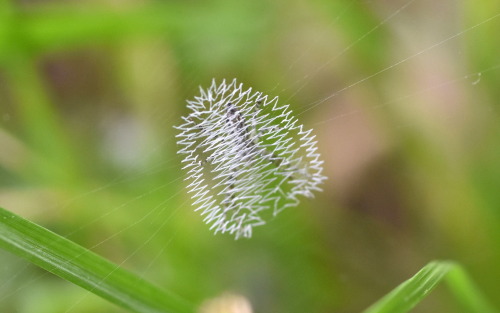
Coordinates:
53	157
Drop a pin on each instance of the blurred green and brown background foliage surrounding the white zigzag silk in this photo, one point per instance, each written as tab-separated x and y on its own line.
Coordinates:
406	114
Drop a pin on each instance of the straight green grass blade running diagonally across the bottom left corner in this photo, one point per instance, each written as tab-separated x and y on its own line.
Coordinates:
83	267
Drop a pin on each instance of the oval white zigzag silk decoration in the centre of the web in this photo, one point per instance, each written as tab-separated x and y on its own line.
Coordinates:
246	158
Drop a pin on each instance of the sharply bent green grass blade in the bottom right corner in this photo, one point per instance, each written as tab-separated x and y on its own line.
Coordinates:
407	295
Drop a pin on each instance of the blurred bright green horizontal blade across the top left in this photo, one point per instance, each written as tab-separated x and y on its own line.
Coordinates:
50	28
